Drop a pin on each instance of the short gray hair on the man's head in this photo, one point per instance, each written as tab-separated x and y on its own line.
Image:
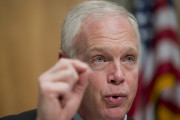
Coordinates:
82	11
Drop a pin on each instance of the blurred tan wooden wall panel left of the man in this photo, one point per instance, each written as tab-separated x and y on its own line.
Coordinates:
29	45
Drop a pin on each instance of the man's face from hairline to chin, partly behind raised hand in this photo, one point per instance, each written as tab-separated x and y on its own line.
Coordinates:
111	52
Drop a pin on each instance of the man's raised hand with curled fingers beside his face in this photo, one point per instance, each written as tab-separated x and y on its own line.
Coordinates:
61	90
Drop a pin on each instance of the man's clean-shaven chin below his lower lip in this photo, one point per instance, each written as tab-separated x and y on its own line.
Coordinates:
115	113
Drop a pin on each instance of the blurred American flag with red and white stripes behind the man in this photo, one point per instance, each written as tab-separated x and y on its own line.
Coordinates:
158	96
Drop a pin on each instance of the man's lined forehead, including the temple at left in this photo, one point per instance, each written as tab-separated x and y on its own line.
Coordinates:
107	26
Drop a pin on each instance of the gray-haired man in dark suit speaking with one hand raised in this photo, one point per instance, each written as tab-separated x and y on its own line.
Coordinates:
97	74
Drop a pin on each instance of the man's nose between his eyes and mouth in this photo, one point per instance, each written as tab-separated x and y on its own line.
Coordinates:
116	75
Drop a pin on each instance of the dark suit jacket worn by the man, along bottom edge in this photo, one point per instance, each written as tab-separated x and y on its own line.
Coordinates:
29	115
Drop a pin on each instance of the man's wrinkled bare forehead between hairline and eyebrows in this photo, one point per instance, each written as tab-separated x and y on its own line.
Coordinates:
115	31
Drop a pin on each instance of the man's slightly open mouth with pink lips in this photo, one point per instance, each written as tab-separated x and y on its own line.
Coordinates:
114	99
